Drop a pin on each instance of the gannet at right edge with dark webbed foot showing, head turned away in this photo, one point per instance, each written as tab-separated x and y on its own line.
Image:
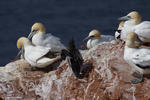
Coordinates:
137	58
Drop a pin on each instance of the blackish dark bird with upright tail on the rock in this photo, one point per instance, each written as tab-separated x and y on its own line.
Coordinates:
75	60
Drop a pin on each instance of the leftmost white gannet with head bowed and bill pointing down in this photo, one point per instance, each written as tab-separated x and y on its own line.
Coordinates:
37	56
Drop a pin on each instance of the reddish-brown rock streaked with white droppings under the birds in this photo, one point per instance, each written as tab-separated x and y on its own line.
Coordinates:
109	79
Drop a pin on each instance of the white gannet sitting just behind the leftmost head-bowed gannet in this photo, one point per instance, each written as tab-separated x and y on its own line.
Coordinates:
40	38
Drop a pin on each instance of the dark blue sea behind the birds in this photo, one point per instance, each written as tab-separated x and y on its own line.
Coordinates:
63	18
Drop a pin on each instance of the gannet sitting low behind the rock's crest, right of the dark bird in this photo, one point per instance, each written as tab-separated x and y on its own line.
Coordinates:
95	38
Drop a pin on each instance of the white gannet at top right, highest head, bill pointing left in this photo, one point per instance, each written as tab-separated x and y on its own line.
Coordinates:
133	24
